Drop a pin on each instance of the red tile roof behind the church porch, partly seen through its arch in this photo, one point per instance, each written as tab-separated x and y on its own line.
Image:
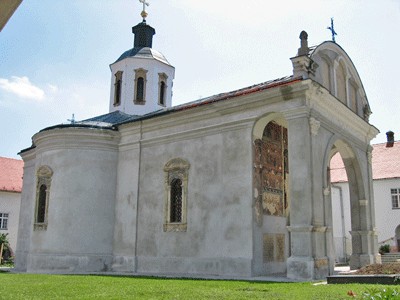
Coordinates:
385	163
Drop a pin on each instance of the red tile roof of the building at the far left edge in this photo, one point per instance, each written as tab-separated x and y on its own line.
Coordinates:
11	172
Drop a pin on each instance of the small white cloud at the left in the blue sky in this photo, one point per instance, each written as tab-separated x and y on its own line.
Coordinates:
22	87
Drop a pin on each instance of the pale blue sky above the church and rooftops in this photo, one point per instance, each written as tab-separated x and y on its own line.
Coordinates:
55	55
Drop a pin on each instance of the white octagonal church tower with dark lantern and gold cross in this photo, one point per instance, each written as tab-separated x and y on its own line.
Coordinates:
141	78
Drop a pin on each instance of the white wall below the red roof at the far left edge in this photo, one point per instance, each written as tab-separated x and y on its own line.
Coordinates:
10	204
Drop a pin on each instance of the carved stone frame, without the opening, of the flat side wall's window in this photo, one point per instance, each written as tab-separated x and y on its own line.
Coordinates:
176	168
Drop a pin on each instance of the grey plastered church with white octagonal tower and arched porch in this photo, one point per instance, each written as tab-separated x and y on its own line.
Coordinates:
232	185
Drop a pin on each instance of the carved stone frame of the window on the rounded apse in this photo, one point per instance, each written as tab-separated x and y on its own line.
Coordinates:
44	176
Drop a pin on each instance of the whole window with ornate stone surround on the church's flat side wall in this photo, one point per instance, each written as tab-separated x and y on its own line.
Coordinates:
175	186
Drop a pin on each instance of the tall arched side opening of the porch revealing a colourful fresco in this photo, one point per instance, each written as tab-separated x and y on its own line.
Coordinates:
271	193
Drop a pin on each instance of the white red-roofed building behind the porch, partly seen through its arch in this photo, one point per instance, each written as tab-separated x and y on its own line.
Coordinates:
386	184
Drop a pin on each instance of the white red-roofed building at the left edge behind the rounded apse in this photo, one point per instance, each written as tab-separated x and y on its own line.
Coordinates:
11	171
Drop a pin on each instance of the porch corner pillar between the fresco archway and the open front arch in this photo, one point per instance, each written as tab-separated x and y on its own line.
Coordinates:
300	265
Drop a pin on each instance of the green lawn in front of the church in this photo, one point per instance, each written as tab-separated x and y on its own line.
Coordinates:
39	286
